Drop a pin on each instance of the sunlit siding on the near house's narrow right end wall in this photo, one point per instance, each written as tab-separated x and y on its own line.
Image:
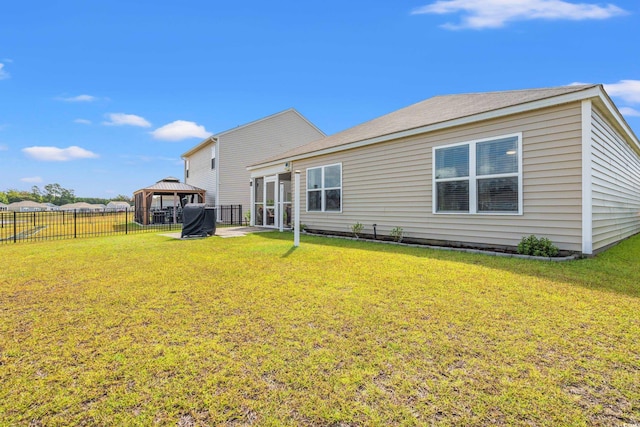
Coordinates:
615	184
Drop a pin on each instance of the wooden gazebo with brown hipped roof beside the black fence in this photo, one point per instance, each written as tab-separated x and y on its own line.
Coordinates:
169	186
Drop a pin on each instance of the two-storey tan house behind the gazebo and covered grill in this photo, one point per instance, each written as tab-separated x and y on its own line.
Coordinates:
218	164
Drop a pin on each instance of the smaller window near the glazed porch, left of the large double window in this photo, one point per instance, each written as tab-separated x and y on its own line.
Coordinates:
324	189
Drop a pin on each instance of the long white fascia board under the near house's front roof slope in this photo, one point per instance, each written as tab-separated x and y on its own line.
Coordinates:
507	111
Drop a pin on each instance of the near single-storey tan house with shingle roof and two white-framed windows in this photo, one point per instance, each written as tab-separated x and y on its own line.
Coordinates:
475	170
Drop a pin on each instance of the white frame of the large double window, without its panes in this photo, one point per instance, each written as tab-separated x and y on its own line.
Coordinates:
473	177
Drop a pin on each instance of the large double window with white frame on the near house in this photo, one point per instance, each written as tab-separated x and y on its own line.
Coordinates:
483	176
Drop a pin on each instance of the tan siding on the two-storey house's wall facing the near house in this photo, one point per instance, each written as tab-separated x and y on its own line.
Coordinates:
250	144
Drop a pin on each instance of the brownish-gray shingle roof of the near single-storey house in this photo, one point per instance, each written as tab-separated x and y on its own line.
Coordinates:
432	111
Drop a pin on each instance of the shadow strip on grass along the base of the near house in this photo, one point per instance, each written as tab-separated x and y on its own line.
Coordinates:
615	270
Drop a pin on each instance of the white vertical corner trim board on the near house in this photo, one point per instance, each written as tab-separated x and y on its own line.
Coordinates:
587	179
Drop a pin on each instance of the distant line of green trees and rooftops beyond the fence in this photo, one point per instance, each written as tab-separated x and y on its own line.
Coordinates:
54	193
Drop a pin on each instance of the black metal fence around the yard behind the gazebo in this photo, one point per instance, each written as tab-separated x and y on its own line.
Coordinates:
51	225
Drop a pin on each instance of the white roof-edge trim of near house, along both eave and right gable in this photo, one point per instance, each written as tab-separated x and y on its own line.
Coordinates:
595	91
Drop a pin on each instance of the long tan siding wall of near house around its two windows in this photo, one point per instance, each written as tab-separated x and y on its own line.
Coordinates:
390	184
